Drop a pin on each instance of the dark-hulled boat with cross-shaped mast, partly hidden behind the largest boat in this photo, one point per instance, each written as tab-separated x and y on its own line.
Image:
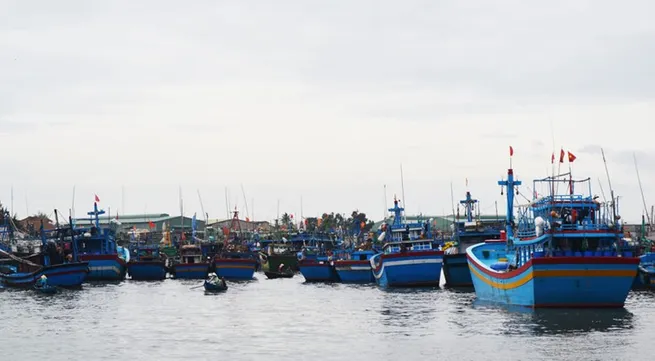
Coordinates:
467	233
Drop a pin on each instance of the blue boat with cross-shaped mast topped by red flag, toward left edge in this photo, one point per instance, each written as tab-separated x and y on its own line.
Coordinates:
97	246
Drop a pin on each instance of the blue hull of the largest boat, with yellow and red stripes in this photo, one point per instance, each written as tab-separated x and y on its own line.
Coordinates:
554	281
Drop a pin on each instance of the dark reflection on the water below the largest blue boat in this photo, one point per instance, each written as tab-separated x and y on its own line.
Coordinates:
540	322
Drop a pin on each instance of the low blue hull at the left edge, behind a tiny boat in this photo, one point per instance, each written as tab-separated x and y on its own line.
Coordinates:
66	275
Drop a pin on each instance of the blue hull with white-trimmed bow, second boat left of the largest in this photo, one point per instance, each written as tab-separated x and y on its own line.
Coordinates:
409	269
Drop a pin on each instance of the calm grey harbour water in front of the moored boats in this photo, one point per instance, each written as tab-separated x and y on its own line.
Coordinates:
287	319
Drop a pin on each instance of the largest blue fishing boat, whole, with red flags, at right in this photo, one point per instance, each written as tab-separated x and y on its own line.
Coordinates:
564	252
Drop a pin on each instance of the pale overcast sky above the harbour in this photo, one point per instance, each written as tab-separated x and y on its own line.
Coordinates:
318	99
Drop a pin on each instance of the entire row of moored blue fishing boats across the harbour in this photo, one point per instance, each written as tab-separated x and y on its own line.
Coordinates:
557	250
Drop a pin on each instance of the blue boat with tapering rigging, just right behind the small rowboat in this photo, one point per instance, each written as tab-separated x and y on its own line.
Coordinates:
236	261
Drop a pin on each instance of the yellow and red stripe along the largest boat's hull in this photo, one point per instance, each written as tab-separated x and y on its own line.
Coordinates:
551	273
